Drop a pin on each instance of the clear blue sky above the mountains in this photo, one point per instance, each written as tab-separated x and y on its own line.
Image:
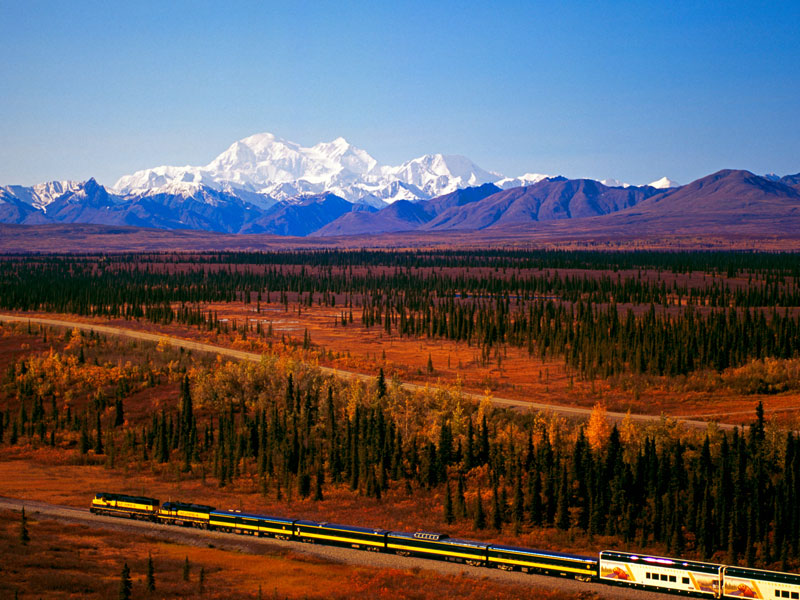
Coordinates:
631	90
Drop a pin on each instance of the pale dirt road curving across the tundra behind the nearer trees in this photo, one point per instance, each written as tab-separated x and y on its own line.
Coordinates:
567	411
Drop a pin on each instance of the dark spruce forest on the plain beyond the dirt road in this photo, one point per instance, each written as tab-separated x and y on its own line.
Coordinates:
592	322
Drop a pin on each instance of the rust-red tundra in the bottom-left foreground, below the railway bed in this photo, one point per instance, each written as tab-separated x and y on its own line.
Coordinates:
75	561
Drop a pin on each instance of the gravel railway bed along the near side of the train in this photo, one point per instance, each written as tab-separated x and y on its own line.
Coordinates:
254	545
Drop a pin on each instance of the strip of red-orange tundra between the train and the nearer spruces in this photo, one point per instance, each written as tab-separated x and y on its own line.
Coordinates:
45	475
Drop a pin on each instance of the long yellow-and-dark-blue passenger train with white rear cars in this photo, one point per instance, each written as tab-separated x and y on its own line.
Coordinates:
611	567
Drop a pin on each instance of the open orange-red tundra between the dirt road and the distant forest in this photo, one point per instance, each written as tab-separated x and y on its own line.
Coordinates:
516	375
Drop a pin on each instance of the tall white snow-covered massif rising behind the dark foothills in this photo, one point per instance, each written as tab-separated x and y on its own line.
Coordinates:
280	169
